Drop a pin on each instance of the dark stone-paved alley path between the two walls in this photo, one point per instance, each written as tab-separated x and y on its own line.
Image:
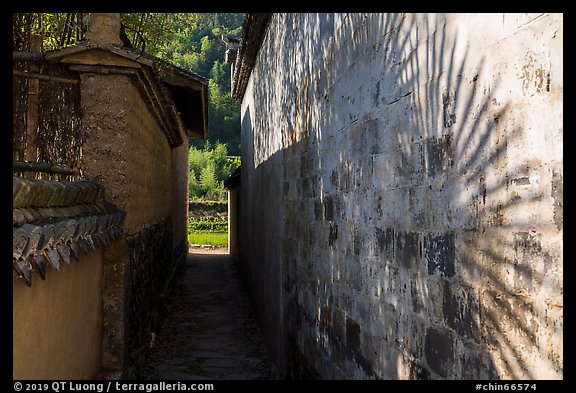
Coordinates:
210	331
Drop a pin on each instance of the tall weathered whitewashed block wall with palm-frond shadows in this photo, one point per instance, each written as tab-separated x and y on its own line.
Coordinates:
402	194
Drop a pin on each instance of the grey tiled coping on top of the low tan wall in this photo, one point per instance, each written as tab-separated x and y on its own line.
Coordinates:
55	222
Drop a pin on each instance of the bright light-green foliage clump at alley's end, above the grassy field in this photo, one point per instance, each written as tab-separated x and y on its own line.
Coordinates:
208	168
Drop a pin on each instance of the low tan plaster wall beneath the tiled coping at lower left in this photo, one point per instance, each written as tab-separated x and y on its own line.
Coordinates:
58	322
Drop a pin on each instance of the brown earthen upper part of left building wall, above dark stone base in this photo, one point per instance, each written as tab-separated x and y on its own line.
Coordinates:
126	150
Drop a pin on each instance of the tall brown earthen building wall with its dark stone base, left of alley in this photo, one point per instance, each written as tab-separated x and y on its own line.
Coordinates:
127	151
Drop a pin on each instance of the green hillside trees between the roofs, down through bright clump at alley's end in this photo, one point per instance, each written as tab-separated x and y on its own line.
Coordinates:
193	42
